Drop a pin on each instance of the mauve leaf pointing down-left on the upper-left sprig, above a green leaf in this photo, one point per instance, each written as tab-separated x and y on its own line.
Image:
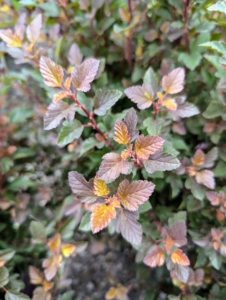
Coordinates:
56	113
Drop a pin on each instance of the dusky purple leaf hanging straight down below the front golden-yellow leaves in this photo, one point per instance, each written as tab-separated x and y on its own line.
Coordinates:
126	223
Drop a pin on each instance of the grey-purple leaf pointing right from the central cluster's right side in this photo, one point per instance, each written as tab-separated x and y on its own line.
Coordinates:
161	162
